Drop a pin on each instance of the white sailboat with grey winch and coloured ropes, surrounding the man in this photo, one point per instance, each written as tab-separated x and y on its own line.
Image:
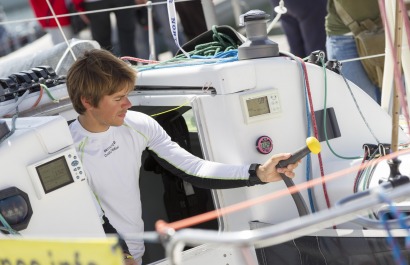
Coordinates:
348	203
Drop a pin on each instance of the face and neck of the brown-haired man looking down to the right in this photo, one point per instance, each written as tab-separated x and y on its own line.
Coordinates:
110	111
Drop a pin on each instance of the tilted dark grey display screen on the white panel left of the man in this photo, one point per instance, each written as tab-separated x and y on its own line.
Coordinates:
54	174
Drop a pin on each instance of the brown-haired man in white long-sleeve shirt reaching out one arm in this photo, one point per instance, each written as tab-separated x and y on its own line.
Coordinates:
110	141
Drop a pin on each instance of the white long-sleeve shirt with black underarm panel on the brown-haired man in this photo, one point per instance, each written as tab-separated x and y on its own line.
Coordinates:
112	161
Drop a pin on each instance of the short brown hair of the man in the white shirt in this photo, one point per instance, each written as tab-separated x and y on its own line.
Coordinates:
96	74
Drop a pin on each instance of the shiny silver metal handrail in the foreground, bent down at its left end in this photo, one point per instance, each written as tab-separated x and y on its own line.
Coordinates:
282	232
